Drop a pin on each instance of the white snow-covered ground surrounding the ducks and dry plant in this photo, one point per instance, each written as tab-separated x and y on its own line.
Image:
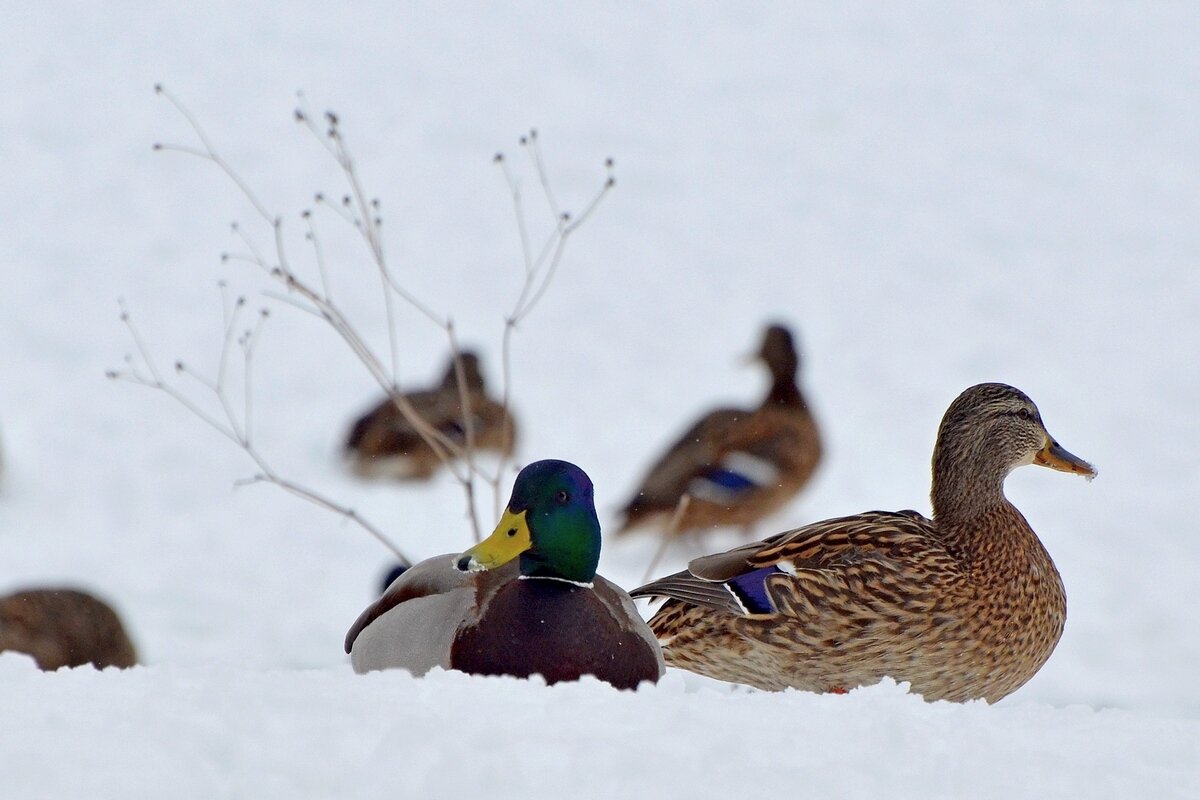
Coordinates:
934	195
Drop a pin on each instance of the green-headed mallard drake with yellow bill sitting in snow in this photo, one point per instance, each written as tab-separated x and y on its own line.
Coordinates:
526	600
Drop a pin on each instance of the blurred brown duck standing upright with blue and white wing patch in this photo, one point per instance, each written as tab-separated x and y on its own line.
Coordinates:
735	466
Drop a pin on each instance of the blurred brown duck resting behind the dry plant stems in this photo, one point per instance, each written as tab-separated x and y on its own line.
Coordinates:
385	444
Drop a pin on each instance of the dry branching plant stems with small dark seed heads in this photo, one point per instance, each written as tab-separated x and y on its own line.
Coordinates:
363	213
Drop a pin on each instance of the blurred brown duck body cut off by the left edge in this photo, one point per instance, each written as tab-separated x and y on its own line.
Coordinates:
64	628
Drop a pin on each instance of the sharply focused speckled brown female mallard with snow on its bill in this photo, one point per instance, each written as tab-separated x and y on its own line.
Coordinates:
967	605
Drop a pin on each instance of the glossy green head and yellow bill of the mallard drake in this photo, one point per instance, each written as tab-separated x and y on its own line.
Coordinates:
550	524
